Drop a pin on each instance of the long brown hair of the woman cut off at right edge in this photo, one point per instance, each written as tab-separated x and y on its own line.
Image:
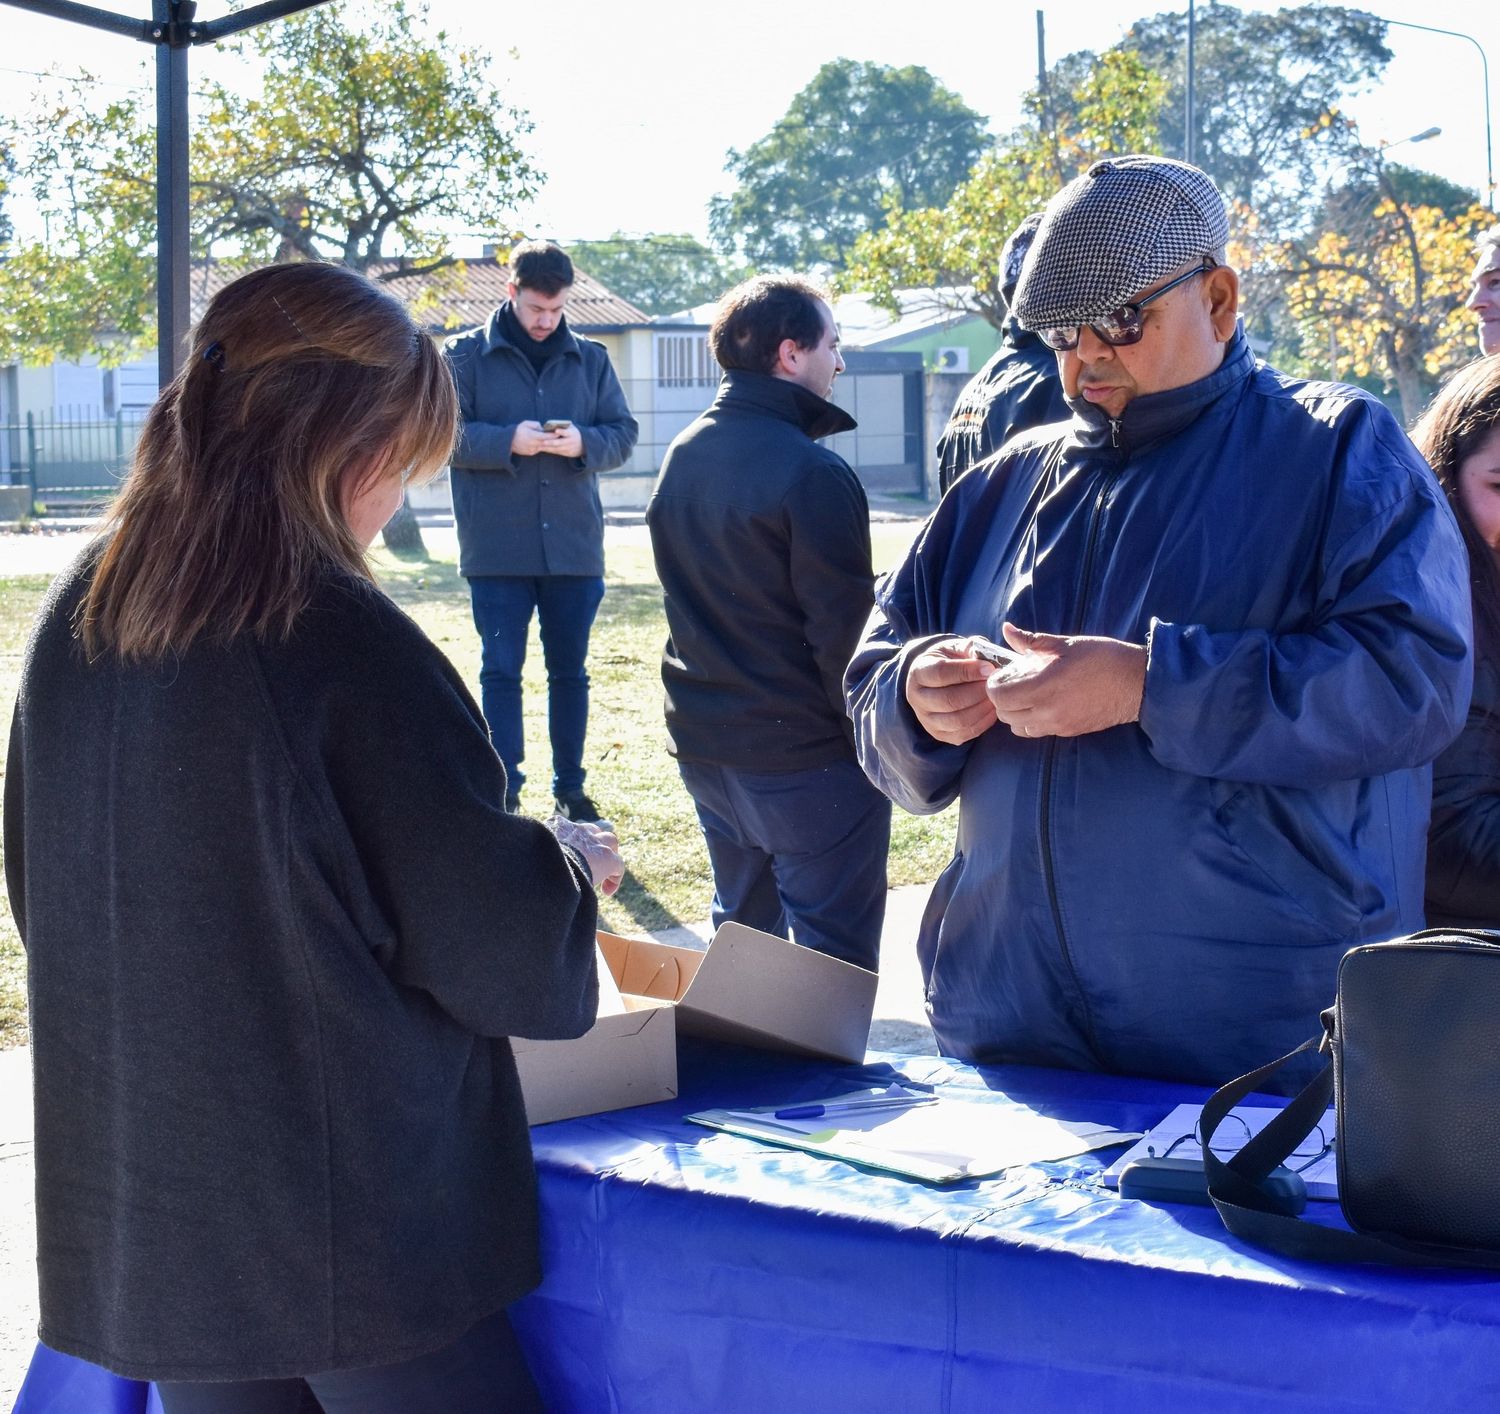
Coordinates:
1457	422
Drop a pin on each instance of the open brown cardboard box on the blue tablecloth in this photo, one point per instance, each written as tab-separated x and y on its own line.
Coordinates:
749	989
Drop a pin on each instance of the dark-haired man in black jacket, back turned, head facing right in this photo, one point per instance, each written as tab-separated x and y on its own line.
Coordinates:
763	544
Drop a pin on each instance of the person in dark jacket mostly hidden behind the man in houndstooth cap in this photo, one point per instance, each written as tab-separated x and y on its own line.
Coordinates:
1016	391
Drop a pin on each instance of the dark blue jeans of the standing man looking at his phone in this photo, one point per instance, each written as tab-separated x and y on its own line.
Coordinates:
566	607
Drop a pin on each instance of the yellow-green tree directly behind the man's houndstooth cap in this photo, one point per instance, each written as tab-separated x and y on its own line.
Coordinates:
955	250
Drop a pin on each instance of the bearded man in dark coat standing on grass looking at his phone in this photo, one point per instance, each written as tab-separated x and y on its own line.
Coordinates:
542	415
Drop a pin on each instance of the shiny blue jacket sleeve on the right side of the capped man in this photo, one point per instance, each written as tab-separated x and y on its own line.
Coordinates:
1378	680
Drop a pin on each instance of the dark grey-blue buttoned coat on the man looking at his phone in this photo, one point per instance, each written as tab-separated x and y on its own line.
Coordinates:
536	515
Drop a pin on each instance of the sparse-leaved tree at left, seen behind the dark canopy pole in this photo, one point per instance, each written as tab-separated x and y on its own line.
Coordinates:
370	136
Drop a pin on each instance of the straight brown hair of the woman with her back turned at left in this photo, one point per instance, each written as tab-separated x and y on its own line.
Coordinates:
302	385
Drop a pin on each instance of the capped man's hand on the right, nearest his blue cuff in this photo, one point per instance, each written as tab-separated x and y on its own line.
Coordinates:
1067	688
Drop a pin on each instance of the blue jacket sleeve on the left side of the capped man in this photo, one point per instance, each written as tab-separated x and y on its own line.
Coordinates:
916	770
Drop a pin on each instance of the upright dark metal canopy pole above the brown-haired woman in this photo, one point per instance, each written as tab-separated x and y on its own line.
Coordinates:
173	256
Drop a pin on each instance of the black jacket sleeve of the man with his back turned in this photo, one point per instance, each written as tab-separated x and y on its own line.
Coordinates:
827	527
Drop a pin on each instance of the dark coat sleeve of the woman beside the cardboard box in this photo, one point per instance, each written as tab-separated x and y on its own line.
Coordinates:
481	909
